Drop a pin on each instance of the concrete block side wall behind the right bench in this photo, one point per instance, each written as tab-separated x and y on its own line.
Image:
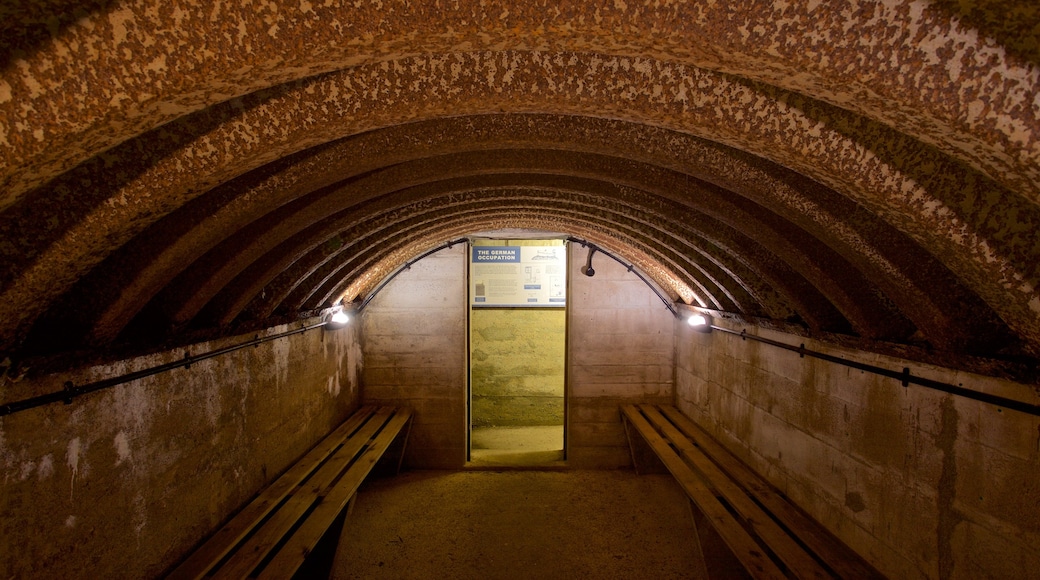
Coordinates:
923	484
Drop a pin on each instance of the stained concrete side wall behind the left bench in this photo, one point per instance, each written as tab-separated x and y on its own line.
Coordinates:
123	483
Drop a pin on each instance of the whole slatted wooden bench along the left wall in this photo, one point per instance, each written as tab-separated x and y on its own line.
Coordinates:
274	536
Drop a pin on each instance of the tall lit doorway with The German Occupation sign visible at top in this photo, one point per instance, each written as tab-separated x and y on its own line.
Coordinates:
518	352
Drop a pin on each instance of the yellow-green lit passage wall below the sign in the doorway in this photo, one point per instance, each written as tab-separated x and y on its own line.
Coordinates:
517	362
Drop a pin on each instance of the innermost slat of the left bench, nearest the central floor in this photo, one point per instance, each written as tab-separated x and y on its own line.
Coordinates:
292	557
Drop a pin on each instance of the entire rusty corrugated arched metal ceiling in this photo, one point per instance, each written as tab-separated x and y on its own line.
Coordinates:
861	169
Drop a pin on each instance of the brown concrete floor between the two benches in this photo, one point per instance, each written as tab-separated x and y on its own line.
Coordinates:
519	524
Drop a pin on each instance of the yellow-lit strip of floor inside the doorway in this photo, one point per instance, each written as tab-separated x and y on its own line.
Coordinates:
517	446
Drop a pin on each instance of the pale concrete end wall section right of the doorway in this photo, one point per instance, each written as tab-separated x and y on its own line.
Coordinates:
621	350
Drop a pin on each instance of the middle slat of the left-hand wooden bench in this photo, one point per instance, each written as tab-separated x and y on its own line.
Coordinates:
257	548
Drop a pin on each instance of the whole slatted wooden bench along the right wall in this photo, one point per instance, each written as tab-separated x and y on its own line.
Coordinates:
737	513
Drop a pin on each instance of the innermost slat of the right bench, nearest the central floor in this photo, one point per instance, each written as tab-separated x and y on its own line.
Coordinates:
744	547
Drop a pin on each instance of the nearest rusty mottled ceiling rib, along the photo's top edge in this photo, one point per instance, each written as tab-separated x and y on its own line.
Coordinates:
931	86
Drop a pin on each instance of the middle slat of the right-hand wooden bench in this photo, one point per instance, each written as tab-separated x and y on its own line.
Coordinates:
794	557
